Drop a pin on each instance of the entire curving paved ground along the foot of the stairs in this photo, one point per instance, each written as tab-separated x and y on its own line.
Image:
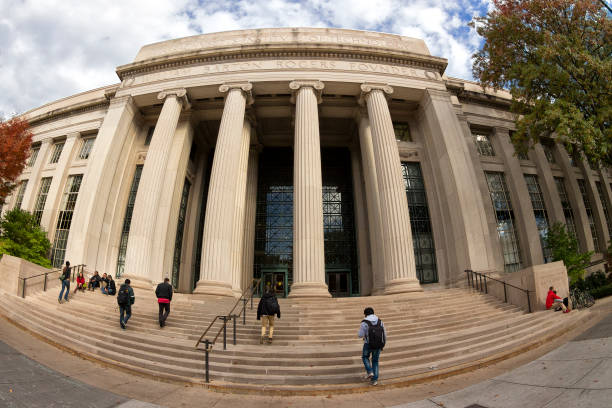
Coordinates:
577	373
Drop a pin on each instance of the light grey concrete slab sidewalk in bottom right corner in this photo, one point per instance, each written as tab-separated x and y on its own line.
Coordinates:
578	374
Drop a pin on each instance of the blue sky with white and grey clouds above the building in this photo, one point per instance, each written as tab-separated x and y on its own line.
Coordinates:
50	49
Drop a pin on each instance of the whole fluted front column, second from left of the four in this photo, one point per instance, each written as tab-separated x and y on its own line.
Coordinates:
216	277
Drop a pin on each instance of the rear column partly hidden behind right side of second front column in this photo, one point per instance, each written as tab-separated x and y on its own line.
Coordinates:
239	210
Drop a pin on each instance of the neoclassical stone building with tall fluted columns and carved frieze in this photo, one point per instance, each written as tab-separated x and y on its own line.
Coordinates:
326	161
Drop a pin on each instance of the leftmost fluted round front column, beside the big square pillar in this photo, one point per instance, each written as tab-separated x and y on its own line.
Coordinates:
150	189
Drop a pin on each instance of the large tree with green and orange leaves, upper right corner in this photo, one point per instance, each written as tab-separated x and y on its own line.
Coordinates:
555	58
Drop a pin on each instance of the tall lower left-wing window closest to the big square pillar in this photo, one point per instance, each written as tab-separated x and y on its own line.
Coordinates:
64	219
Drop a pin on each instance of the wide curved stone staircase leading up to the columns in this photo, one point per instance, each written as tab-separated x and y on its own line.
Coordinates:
315	349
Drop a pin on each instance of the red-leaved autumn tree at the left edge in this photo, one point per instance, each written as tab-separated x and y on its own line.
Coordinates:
15	143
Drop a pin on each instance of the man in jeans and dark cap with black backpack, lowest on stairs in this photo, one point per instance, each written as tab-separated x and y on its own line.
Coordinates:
374	335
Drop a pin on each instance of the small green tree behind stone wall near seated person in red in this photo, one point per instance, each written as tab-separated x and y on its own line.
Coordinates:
564	247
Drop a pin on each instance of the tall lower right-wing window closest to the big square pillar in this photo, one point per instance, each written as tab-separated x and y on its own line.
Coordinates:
504	215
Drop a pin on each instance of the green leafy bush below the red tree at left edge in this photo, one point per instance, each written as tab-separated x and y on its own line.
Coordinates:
21	236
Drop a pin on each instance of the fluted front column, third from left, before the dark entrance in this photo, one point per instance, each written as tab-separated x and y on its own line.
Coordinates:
308	241
